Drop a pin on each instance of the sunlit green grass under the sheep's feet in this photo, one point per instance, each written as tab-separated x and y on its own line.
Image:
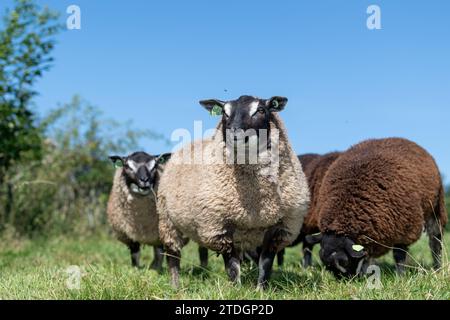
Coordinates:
37	270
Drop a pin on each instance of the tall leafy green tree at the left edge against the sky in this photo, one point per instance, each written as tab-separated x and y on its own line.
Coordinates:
26	42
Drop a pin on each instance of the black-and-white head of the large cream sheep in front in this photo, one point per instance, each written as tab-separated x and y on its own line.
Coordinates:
244	120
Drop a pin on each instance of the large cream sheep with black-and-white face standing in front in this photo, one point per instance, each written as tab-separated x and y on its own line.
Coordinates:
231	207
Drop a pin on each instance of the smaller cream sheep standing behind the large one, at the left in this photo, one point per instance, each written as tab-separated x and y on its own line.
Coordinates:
132	207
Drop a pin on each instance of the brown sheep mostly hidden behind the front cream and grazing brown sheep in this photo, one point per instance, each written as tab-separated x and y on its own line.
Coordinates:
315	167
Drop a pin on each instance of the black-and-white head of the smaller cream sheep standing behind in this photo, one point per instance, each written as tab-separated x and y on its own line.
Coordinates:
140	170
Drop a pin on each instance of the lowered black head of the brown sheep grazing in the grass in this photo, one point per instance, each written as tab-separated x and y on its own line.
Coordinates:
339	254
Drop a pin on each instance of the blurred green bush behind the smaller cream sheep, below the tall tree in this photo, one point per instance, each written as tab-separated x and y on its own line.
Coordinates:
67	190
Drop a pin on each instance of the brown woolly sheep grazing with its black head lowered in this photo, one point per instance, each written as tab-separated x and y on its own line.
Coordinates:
380	194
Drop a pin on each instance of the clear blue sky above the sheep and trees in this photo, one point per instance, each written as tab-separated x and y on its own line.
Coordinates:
152	61
